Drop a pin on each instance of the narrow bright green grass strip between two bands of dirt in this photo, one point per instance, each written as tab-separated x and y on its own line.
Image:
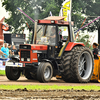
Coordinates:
48	87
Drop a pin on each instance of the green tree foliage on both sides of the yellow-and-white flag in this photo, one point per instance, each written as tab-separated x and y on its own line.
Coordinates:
40	9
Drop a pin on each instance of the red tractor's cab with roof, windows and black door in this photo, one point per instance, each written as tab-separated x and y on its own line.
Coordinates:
53	32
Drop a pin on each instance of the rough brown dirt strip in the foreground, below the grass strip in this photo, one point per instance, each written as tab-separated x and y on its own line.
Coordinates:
49	95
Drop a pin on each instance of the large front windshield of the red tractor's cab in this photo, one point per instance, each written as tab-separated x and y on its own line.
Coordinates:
46	34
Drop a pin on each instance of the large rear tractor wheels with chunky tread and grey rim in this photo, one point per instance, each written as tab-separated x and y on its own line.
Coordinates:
78	65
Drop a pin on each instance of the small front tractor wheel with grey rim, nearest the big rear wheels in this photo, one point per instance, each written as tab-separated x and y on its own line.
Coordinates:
44	72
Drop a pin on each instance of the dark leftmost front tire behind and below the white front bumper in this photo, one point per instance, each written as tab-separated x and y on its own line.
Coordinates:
12	73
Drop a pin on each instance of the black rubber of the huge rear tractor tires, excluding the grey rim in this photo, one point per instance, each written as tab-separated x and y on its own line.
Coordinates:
70	63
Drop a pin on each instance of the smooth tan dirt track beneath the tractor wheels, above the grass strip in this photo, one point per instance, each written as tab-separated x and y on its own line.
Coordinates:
24	81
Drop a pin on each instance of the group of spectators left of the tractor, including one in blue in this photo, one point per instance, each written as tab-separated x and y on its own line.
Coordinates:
8	49
